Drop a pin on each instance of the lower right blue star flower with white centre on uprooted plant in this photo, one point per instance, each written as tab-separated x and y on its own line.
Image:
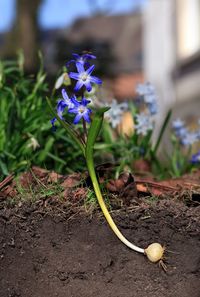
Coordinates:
81	110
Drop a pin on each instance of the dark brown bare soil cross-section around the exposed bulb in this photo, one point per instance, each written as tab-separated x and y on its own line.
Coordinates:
49	253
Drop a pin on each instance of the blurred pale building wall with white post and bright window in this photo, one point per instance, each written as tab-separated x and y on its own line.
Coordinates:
172	55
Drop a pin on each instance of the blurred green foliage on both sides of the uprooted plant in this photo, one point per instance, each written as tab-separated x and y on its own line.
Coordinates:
26	137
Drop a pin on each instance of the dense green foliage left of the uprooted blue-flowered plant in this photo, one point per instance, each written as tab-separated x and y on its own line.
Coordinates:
25	129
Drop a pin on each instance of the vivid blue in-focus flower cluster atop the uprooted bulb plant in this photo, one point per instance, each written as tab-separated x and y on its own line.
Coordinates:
84	80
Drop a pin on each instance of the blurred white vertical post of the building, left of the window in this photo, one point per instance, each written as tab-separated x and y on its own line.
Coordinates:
159	52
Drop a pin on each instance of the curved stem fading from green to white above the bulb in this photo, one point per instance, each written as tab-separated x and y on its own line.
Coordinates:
90	165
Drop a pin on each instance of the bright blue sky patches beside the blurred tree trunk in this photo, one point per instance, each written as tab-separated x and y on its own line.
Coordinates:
60	13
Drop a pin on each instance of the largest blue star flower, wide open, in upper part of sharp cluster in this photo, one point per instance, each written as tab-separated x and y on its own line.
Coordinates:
84	77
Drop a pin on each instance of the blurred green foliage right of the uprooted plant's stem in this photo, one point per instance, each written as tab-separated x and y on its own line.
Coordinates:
126	150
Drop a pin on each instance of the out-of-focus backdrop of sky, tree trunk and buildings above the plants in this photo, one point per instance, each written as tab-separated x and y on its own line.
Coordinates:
135	41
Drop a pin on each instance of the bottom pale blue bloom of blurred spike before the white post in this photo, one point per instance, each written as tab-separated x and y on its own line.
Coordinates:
143	124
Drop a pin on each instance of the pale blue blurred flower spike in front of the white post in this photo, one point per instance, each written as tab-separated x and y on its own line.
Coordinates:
148	101
